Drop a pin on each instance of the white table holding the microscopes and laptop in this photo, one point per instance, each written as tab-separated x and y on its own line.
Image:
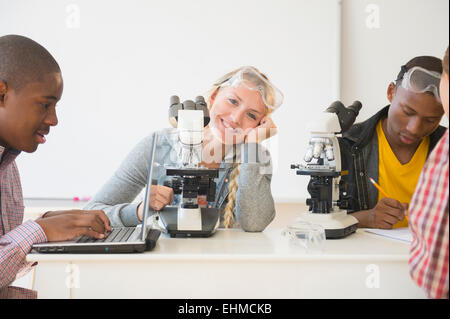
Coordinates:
234	264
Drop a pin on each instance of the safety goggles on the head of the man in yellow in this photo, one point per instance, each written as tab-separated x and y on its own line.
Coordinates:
420	80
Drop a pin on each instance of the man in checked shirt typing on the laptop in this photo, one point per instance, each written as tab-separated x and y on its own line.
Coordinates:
30	86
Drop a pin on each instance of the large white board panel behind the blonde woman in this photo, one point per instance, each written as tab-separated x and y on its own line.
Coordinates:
122	60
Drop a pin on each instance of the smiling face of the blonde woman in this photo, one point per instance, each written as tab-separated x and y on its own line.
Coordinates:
235	111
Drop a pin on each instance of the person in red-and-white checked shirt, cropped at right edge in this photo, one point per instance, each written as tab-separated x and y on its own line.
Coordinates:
428	262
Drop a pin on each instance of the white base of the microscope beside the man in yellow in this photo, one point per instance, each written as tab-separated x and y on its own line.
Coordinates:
337	224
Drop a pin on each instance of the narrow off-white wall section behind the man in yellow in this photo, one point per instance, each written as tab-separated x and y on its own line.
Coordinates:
372	53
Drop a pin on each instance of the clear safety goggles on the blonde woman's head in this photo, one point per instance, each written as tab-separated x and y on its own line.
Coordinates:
253	80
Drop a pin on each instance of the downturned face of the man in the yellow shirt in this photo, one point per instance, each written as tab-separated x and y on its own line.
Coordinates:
412	116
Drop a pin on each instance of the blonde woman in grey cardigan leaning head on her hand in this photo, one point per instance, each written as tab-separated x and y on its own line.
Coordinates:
240	105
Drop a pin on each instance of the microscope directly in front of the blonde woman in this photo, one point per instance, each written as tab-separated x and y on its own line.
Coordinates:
196	185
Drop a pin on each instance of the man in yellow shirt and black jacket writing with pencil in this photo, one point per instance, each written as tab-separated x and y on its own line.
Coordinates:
392	146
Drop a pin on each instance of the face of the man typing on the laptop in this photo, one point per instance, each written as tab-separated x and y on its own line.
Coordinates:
27	115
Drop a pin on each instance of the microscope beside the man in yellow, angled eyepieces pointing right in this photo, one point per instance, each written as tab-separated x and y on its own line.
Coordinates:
322	162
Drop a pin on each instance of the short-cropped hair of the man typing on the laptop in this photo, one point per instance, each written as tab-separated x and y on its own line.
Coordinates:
24	61
